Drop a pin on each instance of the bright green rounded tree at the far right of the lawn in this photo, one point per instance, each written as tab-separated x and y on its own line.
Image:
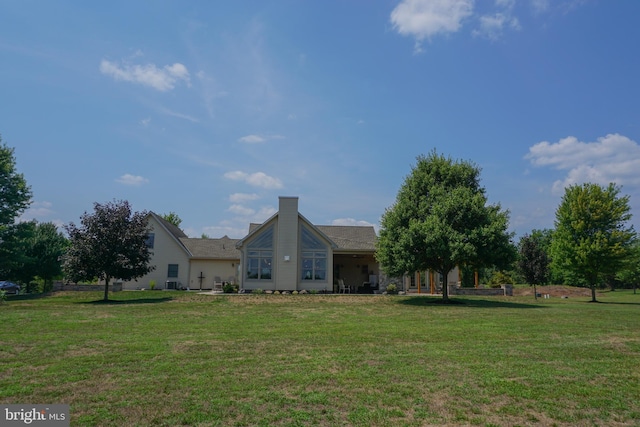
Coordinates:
592	240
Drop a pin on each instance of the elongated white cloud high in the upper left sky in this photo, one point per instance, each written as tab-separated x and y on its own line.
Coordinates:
162	79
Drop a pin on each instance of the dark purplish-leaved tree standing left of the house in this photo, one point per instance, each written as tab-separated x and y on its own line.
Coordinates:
109	244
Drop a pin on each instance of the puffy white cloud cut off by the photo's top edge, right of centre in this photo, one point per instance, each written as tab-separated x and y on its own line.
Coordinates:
423	19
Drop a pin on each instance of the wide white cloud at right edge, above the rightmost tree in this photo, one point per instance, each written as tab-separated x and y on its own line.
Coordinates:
612	158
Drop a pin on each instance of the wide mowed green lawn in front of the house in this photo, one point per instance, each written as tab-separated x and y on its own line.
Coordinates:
176	358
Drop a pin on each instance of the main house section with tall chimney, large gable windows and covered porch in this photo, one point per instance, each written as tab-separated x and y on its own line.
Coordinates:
287	252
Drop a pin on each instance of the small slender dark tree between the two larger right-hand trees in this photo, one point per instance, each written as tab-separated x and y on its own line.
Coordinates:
533	262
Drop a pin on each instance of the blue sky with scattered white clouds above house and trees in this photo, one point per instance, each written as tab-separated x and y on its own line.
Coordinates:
213	109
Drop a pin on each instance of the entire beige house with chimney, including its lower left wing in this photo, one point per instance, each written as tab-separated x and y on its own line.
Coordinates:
286	252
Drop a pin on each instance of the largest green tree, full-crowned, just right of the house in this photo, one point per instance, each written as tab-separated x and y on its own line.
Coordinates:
441	219
